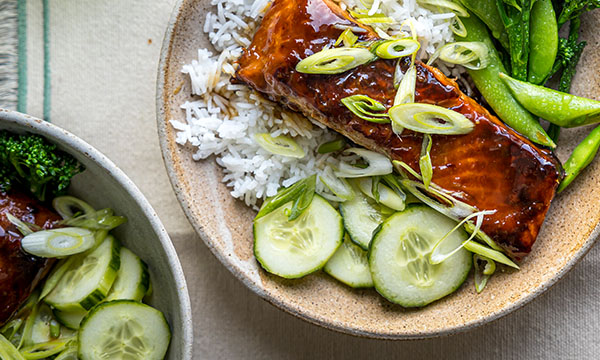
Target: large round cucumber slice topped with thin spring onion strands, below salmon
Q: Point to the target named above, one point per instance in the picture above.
(399, 257)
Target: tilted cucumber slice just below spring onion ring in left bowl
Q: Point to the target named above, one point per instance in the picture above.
(89, 279)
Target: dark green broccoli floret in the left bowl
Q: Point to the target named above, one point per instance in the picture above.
(34, 163)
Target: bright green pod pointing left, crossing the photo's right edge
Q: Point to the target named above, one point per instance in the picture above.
(557, 107)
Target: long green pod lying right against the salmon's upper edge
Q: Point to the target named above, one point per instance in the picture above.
(496, 93)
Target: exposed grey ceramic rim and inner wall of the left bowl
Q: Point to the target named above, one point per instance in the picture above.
(103, 185)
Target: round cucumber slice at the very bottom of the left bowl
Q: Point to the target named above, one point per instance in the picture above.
(124, 329)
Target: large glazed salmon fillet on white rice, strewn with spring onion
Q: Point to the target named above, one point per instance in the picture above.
(490, 168)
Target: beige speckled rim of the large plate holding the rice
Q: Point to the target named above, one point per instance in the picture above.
(178, 184)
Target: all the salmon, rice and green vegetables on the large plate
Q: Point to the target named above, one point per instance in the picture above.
(413, 139)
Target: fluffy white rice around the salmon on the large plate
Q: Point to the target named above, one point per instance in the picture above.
(224, 117)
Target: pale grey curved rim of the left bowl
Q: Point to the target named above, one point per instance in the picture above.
(59, 135)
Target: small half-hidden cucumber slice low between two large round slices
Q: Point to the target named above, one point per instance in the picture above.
(350, 265)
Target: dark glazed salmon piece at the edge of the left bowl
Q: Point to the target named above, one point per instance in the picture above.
(20, 272)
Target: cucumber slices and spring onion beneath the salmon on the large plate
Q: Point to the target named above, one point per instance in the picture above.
(376, 226)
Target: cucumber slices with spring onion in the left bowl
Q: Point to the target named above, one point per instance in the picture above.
(91, 305)
